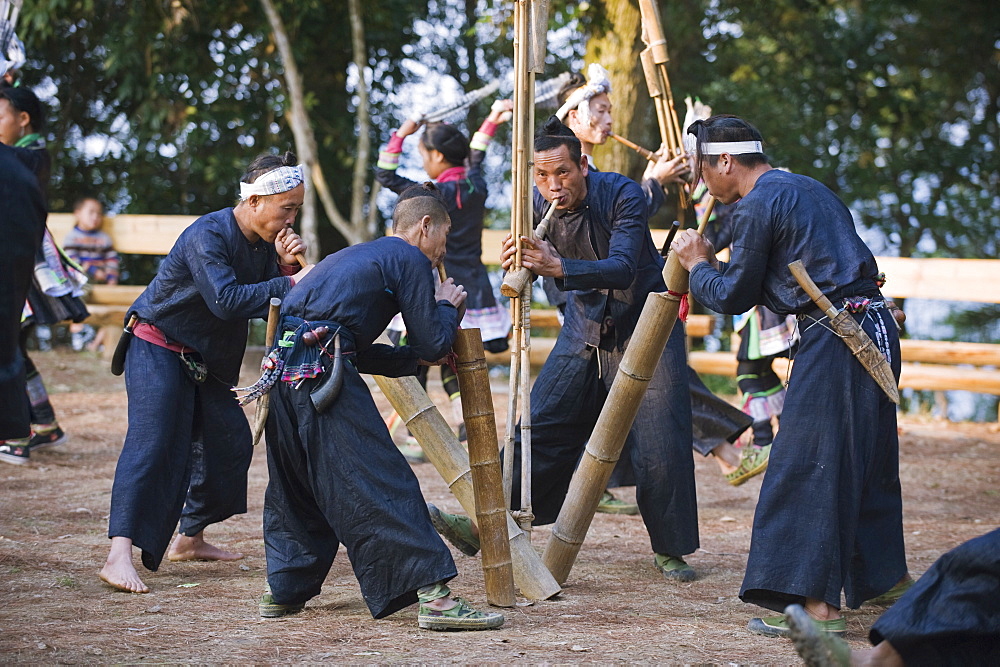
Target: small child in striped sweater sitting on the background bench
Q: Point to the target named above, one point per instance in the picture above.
(93, 250)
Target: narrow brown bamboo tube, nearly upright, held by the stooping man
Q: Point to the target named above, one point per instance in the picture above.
(484, 459)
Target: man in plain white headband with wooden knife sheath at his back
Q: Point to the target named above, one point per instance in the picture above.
(829, 517)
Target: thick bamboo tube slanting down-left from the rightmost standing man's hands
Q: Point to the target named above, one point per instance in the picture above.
(659, 314)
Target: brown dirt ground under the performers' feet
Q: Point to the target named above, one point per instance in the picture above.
(614, 608)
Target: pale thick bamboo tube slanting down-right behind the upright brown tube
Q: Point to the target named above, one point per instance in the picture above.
(440, 444)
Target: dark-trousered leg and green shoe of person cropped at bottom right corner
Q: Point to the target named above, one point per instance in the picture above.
(951, 616)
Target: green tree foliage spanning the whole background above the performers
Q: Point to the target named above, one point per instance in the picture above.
(158, 105)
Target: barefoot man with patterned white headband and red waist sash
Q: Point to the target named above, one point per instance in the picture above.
(188, 446)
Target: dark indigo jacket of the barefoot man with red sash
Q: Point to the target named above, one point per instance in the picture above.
(209, 286)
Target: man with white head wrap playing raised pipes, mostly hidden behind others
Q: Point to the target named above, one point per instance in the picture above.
(587, 110)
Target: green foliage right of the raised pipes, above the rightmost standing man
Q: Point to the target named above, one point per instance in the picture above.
(889, 103)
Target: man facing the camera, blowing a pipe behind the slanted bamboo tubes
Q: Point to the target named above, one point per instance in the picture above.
(601, 253)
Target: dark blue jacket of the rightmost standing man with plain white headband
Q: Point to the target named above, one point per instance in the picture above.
(785, 217)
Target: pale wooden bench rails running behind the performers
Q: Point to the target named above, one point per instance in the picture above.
(927, 364)
